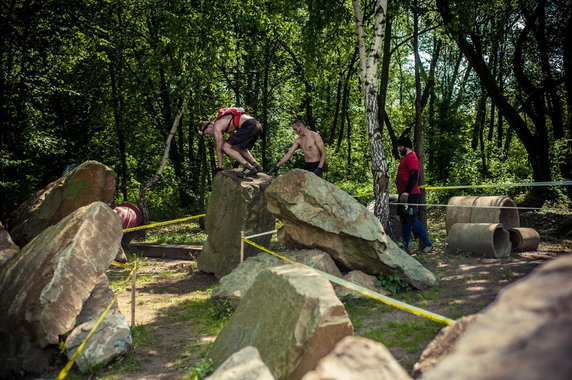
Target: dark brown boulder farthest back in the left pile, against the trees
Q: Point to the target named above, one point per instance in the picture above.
(87, 183)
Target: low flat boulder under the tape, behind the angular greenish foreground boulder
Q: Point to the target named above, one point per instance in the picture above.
(234, 285)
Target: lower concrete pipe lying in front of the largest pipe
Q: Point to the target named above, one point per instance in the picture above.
(482, 239)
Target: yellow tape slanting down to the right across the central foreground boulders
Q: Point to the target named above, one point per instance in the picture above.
(366, 292)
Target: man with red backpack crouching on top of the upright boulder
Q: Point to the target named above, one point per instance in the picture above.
(243, 130)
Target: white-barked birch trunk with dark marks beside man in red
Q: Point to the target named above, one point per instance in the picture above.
(369, 61)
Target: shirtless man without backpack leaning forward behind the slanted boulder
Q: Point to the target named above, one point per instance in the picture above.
(311, 144)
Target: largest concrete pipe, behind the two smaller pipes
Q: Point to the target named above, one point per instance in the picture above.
(466, 209)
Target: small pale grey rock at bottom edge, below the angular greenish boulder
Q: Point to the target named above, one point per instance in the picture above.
(245, 364)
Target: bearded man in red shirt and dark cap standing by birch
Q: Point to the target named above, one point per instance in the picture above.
(407, 182)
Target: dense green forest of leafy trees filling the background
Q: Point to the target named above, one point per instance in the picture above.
(484, 88)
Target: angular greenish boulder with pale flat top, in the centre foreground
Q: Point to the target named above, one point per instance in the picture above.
(291, 315)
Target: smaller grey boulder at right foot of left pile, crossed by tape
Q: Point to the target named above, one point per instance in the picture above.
(111, 338)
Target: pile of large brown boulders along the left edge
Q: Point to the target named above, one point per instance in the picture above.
(55, 287)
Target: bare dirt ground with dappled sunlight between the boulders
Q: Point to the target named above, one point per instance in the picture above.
(165, 288)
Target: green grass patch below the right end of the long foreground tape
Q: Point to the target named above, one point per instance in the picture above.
(411, 336)
